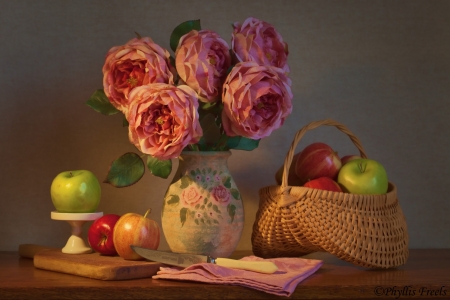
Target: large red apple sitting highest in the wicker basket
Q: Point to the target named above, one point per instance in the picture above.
(317, 160)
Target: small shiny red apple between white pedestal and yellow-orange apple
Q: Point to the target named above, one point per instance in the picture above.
(100, 234)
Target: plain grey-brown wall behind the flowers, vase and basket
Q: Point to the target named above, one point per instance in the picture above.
(380, 67)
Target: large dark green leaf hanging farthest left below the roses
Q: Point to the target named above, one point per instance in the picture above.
(126, 170)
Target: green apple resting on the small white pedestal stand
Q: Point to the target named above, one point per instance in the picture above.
(75, 192)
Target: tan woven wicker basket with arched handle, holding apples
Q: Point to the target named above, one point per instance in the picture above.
(366, 230)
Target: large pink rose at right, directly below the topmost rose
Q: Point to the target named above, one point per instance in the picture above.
(256, 99)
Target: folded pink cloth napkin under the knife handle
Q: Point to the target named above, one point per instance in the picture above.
(291, 271)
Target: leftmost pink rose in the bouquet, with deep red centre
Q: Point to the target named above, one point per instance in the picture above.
(138, 62)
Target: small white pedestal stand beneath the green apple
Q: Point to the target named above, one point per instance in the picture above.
(75, 244)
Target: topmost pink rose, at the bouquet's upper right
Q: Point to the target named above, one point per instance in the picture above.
(258, 41)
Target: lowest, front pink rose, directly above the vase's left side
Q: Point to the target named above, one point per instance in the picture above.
(163, 119)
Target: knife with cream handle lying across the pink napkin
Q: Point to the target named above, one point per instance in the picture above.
(185, 260)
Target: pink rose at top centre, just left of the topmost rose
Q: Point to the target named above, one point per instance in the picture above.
(202, 59)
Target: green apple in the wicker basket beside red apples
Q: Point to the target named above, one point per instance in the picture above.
(363, 176)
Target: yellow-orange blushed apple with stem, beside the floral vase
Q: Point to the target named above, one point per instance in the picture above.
(134, 229)
